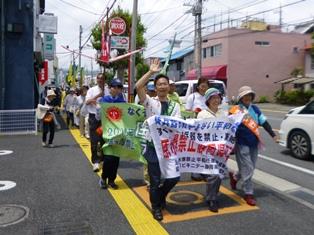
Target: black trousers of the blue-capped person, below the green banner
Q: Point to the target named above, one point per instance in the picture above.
(110, 168)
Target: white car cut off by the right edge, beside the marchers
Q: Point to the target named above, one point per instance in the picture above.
(297, 131)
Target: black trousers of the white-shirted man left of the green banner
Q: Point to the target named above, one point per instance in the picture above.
(94, 138)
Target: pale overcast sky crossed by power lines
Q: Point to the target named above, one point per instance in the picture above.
(159, 14)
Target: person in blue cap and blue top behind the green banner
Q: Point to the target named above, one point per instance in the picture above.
(111, 162)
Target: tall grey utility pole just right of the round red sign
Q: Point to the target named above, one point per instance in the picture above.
(133, 47)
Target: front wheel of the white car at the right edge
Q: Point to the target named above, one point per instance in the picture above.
(299, 145)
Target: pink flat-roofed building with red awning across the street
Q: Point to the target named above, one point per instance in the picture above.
(253, 58)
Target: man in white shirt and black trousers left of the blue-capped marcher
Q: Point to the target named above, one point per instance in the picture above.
(92, 95)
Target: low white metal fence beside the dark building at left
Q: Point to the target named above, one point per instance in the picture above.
(18, 122)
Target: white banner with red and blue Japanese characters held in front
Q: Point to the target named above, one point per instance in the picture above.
(193, 145)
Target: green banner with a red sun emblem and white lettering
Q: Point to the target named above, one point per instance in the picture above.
(123, 130)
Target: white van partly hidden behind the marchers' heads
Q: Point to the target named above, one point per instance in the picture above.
(187, 87)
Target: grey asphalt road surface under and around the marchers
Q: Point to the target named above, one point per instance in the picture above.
(62, 194)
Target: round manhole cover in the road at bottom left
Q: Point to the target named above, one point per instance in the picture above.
(12, 214)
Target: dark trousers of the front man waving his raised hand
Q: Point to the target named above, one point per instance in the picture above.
(158, 192)
